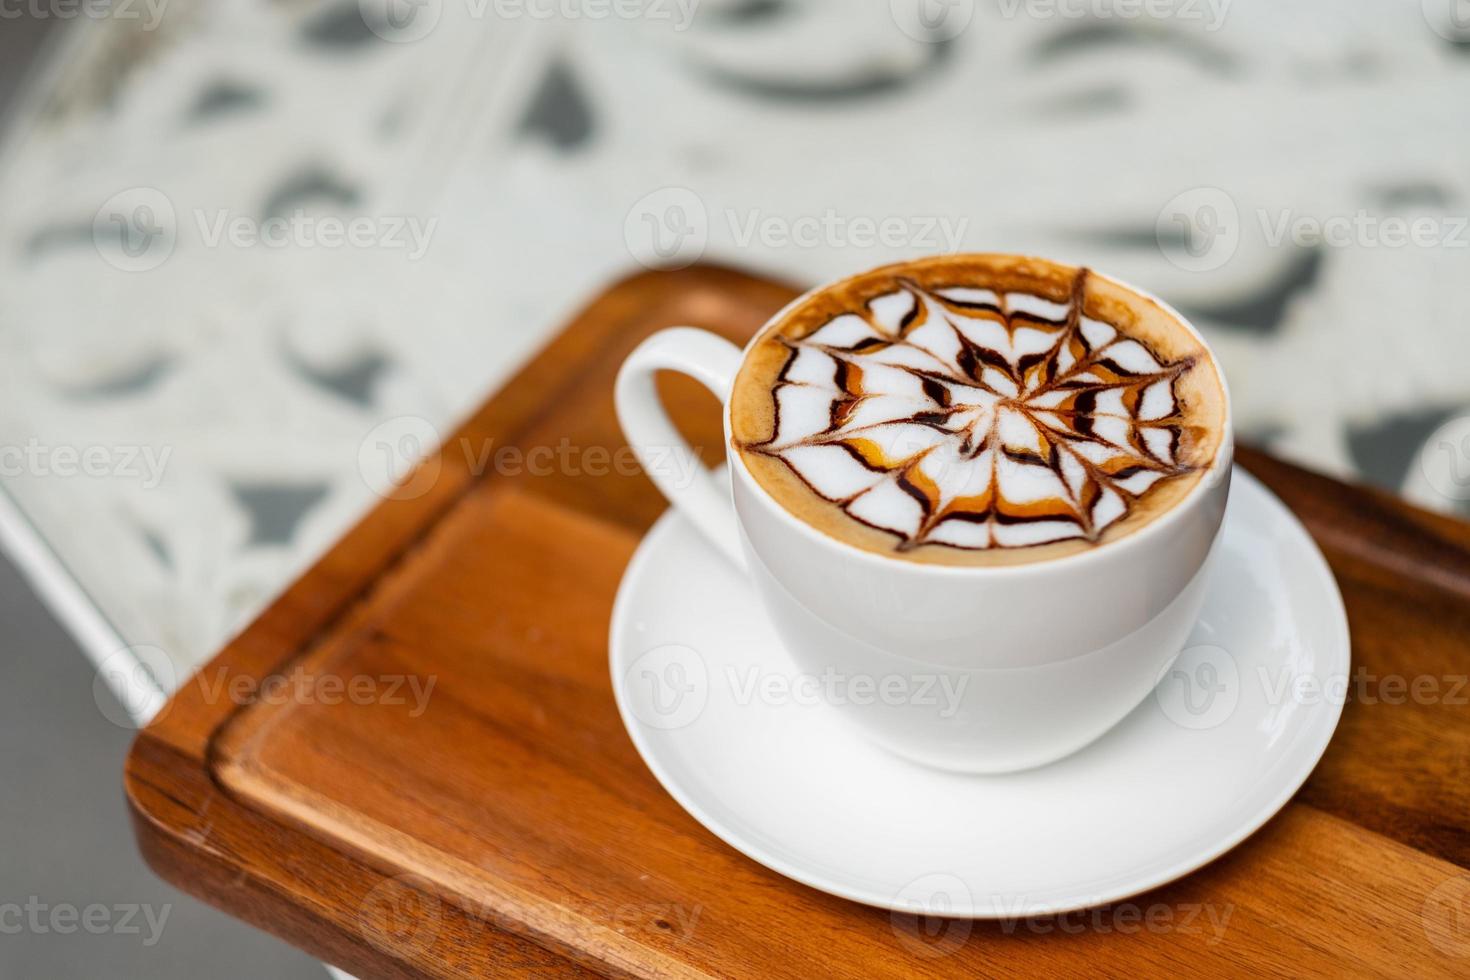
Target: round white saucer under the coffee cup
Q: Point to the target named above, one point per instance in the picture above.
(784, 779)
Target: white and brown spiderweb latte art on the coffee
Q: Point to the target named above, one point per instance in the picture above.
(980, 419)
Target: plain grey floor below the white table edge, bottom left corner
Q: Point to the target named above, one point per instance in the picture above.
(76, 898)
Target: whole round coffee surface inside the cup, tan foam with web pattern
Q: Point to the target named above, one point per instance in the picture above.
(978, 411)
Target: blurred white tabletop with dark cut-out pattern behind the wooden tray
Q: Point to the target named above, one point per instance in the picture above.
(1294, 177)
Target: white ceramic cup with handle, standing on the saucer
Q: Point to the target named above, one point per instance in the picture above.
(1046, 656)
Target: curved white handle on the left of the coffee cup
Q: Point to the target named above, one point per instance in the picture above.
(665, 456)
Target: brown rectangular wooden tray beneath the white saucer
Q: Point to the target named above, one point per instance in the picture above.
(512, 826)
